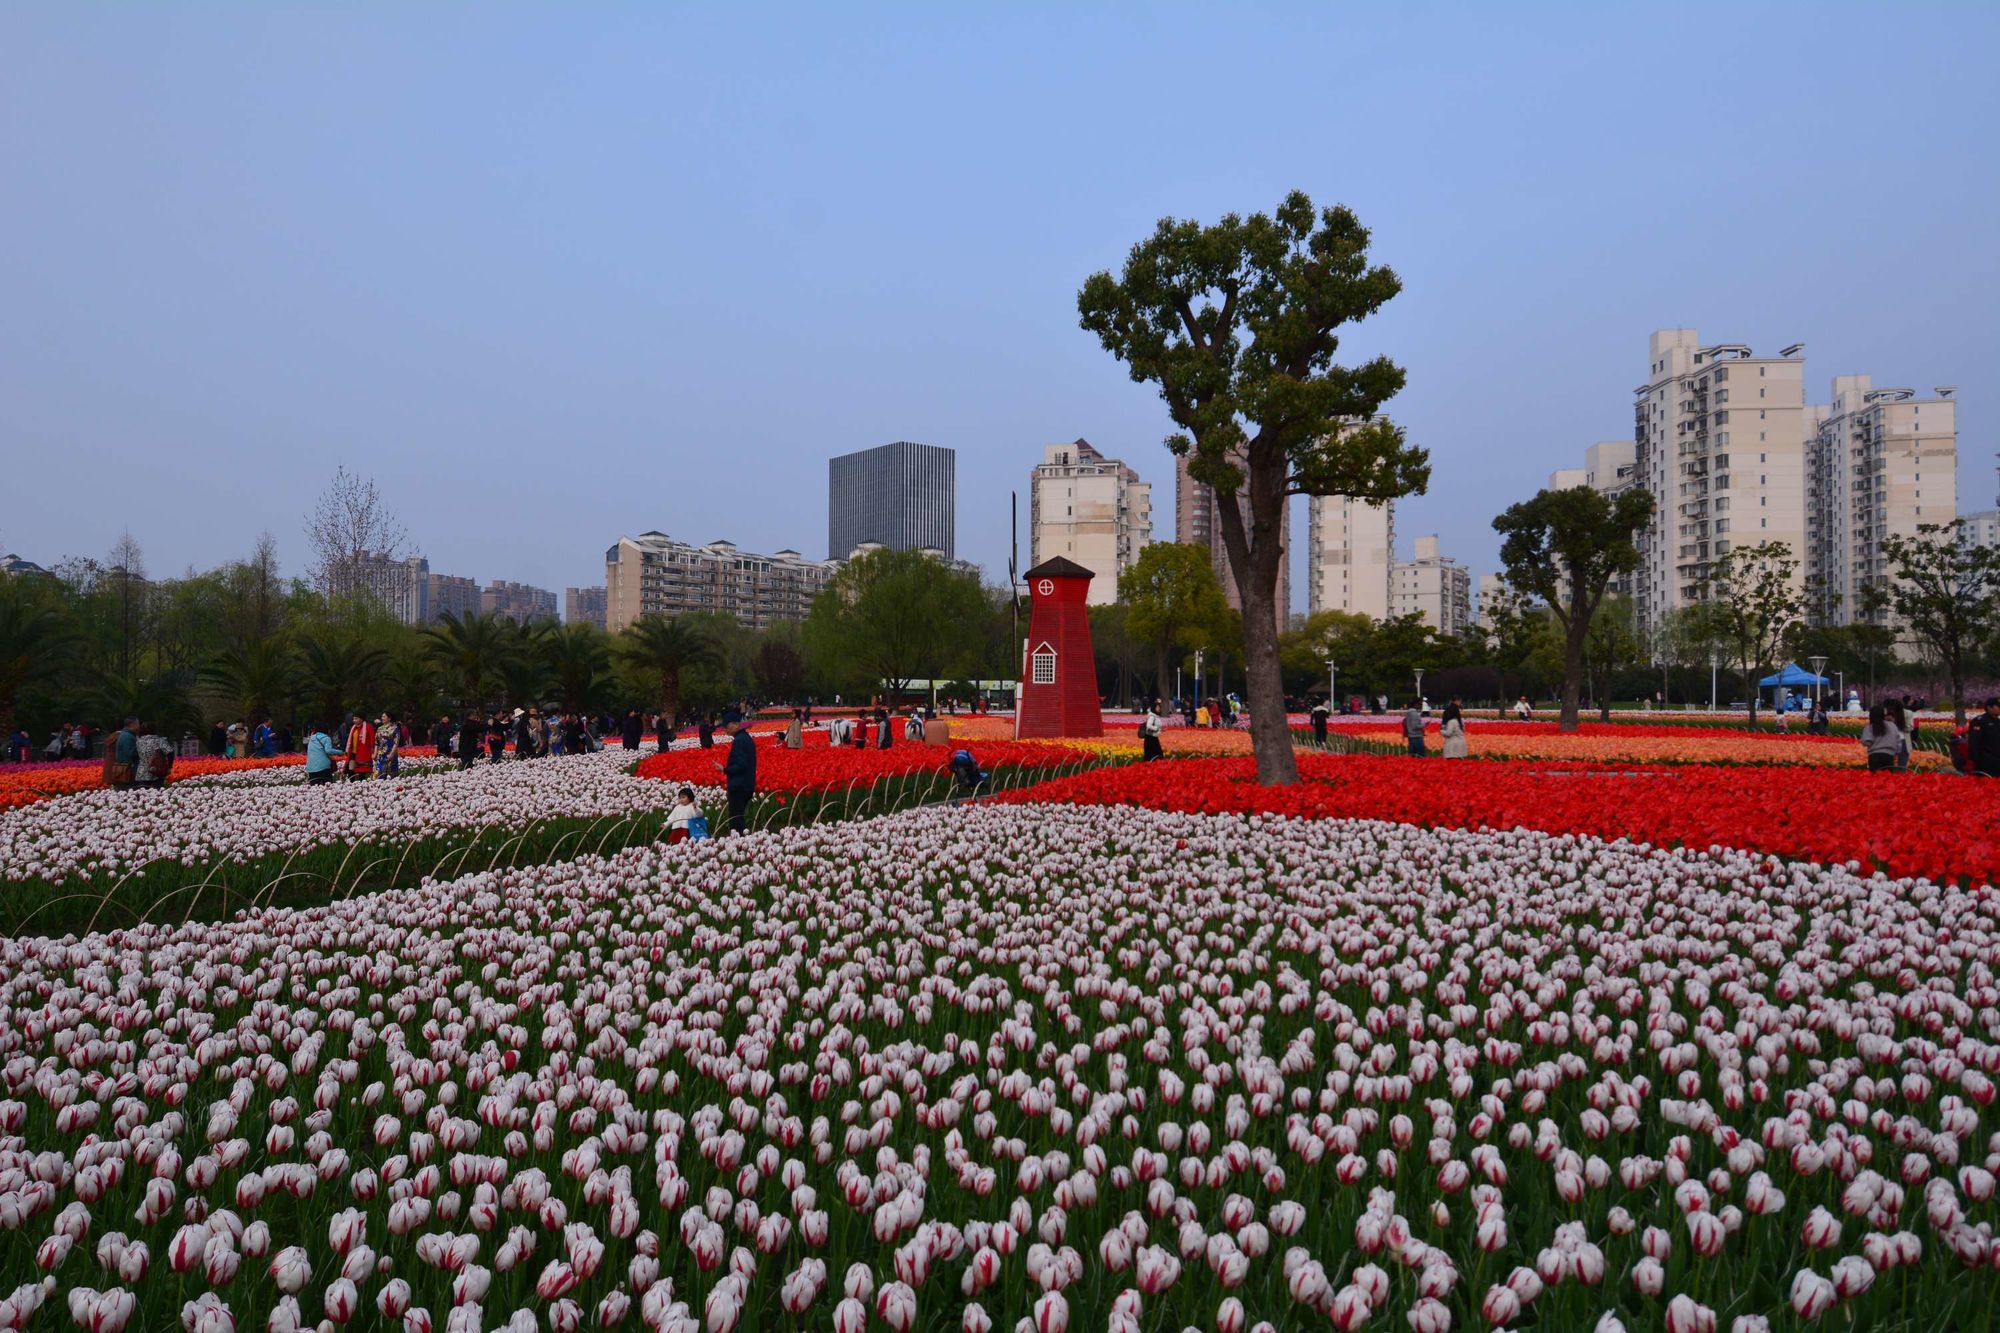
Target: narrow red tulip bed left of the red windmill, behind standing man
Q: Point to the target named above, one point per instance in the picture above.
(823, 768)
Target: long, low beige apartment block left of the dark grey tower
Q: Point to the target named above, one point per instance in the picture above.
(653, 575)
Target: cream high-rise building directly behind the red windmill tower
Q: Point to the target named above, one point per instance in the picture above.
(1089, 509)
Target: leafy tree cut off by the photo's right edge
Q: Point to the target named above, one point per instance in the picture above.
(1945, 593)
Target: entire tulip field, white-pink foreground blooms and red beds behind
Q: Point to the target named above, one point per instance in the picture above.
(1519, 1044)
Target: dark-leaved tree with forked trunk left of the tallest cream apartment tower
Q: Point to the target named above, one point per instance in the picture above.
(1565, 547)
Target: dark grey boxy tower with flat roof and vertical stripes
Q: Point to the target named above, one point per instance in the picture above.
(899, 495)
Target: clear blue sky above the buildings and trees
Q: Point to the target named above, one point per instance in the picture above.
(563, 273)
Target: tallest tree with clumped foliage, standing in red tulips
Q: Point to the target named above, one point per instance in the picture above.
(1237, 325)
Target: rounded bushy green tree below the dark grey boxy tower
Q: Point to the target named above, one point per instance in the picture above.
(891, 617)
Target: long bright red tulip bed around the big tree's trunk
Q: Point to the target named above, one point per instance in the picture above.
(1911, 824)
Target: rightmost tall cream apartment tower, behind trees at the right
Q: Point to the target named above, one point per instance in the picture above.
(1883, 463)
